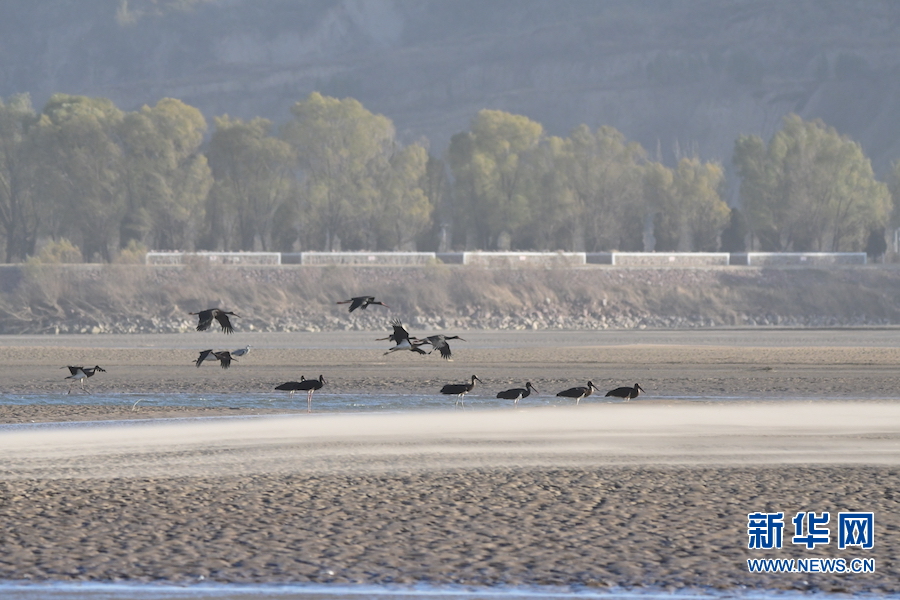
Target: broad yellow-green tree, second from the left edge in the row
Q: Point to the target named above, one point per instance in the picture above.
(80, 184)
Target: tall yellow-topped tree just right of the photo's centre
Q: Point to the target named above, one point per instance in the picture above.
(490, 164)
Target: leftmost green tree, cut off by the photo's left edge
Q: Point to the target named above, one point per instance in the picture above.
(18, 213)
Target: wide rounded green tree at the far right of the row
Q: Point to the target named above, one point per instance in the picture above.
(810, 189)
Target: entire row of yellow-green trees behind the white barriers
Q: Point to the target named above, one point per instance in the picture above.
(87, 175)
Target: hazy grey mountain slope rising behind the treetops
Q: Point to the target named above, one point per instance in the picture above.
(684, 76)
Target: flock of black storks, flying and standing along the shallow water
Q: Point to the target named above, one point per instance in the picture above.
(401, 339)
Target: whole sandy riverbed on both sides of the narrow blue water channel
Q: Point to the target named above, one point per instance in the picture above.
(654, 493)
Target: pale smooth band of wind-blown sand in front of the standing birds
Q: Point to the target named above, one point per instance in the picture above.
(686, 434)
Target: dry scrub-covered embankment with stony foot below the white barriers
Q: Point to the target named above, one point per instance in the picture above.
(131, 299)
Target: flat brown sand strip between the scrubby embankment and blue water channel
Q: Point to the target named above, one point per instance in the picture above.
(845, 364)
